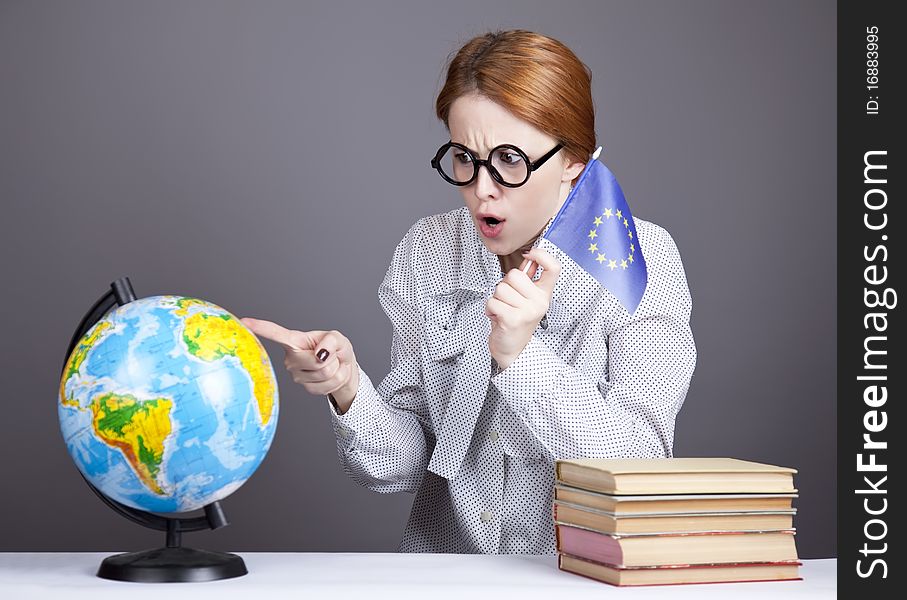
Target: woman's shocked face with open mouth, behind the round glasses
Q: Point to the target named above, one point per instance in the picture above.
(481, 124)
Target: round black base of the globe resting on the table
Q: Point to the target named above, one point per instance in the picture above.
(180, 564)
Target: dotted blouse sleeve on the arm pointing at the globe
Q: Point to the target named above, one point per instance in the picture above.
(380, 439)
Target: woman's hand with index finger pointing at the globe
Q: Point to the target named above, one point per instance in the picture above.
(323, 362)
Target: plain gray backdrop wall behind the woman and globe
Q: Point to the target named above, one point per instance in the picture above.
(268, 157)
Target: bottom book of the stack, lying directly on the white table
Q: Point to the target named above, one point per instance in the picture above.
(676, 574)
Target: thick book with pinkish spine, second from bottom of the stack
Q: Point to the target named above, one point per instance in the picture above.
(674, 549)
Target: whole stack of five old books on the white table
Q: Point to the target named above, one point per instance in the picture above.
(675, 520)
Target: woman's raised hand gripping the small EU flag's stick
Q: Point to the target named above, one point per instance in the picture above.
(517, 306)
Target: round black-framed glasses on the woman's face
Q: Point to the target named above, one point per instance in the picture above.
(507, 164)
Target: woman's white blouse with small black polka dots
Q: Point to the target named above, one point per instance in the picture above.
(477, 444)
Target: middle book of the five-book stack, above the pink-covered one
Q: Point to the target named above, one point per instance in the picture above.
(591, 518)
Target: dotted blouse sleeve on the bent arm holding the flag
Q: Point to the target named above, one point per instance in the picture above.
(630, 411)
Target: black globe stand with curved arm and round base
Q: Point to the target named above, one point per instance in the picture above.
(173, 562)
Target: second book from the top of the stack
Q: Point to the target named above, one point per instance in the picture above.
(672, 503)
